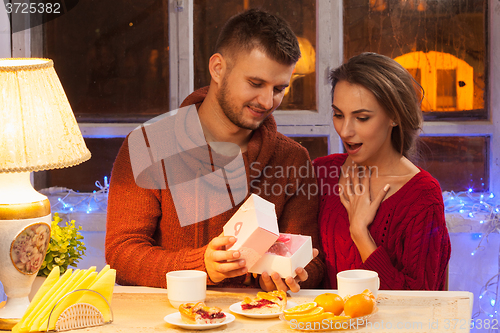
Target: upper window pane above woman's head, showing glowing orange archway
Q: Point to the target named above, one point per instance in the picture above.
(441, 43)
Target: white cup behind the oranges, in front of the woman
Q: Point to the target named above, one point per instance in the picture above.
(355, 281)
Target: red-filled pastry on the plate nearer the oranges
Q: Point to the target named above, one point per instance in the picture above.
(270, 302)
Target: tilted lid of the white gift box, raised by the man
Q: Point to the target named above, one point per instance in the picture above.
(255, 227)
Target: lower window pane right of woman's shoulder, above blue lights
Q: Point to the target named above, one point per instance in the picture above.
(458, 163)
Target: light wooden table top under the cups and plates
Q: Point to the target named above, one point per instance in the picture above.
(141, 309)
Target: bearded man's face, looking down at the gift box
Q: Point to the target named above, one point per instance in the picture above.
(253, 88)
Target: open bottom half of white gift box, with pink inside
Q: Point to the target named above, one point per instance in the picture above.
(301, 253)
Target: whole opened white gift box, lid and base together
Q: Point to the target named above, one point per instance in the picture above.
(256, 228)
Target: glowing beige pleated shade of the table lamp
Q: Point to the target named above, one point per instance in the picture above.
(38, 130)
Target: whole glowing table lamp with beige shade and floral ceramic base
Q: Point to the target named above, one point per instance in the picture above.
(38, 131)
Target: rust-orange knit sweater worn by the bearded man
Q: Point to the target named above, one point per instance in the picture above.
(144, 239)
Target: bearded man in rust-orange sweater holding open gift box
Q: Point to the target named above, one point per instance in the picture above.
(255, 56)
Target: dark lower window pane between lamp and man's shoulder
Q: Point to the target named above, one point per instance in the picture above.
(82, 177)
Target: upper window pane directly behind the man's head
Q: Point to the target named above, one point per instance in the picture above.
(210, 16)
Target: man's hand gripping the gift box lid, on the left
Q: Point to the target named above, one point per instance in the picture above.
(217, 259)
